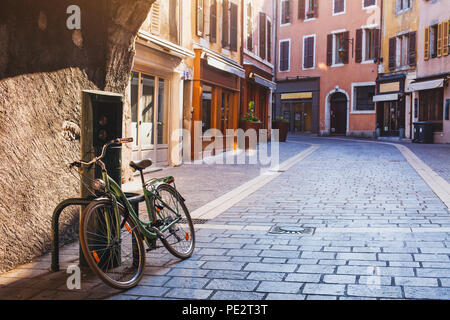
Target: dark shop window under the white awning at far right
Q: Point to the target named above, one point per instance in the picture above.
(431, 104)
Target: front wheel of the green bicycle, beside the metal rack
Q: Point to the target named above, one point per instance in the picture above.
(113, 248)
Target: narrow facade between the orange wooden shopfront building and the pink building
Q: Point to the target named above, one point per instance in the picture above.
(258, 59)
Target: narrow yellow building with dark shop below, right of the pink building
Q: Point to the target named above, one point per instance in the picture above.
(397, 67)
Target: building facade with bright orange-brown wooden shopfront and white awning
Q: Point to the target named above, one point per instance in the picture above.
(214, 35)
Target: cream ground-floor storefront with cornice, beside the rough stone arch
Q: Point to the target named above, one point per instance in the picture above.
(156, 96)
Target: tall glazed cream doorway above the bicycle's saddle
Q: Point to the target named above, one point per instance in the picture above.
(149, 118)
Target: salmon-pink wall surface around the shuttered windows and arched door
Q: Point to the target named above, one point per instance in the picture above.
(354, 18)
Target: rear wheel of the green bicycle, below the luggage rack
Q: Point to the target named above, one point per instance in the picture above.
(179, 238)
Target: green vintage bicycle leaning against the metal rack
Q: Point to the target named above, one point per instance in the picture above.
(111, 233)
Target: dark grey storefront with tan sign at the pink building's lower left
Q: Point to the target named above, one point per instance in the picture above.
(298, 102)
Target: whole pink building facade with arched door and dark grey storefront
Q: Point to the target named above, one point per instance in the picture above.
(326, 71)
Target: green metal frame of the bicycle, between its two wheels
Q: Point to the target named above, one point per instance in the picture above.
(114, 191)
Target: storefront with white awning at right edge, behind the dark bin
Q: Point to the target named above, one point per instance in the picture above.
(432, 104)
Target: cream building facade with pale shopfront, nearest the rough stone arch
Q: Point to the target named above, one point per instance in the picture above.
(156, 88)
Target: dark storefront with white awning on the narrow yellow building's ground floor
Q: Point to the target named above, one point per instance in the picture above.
(391, 106)
